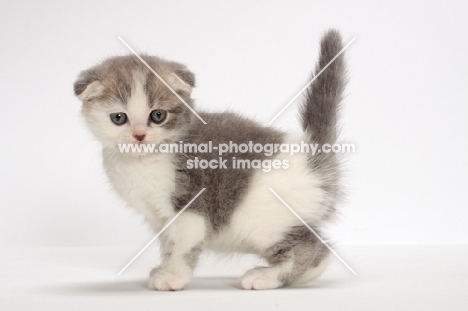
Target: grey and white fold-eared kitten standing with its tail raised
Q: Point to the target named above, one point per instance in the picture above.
(124, 102)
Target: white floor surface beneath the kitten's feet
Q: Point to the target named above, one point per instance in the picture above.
(431, 277)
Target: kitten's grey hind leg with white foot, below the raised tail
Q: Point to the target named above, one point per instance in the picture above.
(288, 259)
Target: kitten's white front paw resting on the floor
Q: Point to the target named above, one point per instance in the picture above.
(164, 280)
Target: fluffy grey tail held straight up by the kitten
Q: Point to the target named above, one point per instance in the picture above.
(319, 112)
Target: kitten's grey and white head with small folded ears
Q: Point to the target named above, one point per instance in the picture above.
(124, 102)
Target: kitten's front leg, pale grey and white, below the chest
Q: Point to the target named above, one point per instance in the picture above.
(181, 246)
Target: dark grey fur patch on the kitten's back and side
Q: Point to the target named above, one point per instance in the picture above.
(225, 188)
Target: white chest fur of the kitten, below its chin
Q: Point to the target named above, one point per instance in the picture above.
(145, 182)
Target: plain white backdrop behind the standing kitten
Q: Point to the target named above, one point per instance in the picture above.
(406, 107)
